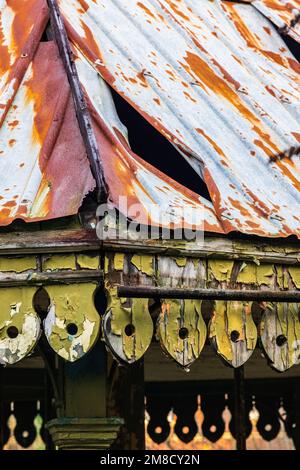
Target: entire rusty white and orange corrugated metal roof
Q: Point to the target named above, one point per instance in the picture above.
(214, 77)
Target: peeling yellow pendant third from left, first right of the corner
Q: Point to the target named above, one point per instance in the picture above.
(127, 327)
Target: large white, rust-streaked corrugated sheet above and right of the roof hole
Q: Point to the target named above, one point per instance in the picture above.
(217, 80)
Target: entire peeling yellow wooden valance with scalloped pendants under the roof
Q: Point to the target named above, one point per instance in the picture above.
(235, 303)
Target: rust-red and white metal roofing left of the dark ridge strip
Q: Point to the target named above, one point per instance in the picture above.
(43, 165)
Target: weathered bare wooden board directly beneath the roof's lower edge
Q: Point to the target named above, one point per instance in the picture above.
(63, 241)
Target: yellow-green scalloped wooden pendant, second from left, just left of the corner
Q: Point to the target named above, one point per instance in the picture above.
(72, 305)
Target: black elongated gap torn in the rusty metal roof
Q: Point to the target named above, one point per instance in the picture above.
(155, 149)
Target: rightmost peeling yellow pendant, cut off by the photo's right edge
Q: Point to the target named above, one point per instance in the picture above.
(280, 335)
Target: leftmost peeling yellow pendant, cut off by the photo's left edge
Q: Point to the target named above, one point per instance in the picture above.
(17, 312)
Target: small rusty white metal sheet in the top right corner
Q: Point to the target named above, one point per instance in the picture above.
(283, 13)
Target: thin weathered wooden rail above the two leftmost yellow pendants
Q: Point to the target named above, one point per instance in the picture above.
(49, 278)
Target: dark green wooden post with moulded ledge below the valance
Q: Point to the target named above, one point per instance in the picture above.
(85, 425)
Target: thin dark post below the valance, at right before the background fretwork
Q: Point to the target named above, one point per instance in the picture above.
(240, 409)
